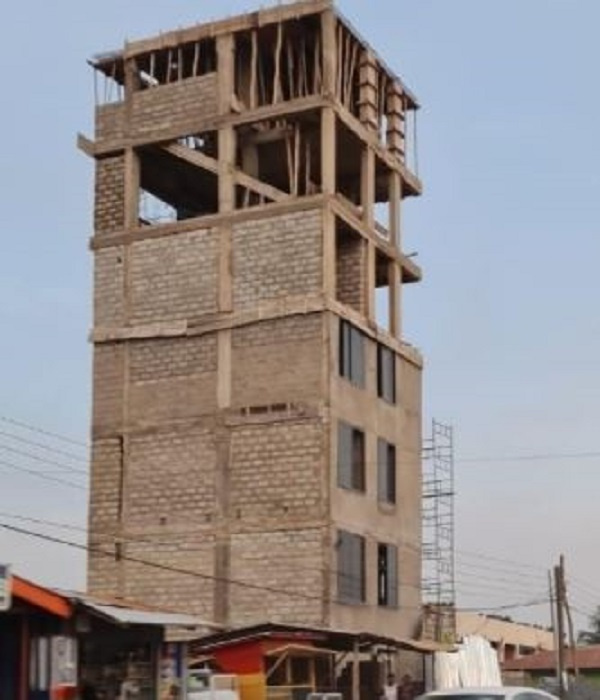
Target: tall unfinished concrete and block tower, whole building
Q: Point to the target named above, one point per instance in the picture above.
(256, 420)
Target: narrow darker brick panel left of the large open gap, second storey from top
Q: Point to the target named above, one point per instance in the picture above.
(109, 213)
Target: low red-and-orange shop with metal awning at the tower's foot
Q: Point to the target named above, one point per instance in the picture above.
(288, 662)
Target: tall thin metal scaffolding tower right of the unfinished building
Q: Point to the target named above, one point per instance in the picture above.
(439, 591)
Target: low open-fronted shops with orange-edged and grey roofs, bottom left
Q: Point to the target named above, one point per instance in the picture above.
(52, 644)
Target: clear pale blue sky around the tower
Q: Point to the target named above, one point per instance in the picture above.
(507, 234)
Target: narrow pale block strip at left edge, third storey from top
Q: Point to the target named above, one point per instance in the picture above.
(109, 270)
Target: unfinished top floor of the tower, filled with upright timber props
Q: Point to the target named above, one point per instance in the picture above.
(268, 63)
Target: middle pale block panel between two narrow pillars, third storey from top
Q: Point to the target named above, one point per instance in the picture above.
(174, 277)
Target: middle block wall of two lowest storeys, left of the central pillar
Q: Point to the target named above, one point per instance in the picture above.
(170, 501)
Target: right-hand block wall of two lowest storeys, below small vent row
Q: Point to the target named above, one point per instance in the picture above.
(275, 485)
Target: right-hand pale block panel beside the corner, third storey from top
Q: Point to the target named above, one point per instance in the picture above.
(276, 257)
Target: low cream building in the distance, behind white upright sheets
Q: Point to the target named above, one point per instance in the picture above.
(511, 640)
